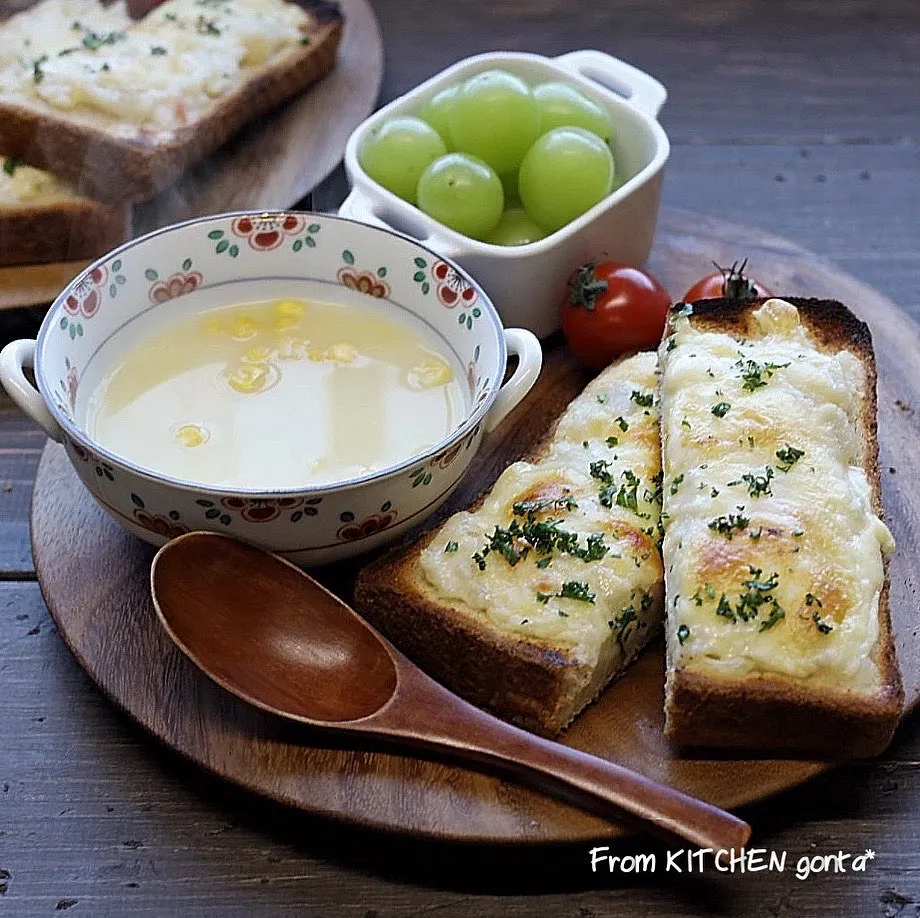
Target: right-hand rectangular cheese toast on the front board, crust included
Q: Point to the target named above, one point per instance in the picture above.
(778, 632)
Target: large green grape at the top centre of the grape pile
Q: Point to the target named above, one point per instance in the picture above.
(496, 118)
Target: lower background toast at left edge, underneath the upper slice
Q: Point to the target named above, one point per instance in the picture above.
(42, 219)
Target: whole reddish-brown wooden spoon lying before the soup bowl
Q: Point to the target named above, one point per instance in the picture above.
(270, 634)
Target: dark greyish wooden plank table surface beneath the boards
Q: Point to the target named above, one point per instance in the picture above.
(801, 118)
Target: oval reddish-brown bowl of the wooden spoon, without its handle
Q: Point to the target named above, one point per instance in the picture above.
(252, 627)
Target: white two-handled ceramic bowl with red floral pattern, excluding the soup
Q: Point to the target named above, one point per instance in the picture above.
(243, 257)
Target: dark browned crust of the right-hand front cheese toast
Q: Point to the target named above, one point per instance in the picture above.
(770, 712)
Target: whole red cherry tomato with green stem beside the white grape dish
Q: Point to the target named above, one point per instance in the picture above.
(611, 308)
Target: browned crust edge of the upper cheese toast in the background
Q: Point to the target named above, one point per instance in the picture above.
(109, 168)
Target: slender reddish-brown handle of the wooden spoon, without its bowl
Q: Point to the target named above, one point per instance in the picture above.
(424, 713)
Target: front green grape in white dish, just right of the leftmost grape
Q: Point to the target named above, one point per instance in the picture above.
(462, 192)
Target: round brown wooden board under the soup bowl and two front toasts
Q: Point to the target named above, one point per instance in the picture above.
(94, 578)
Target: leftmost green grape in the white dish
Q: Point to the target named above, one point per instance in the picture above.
(397, 152)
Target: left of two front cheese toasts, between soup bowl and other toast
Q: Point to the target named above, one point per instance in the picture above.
(497, 632)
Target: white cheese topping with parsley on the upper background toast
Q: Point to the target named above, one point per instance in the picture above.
(158, 73)
